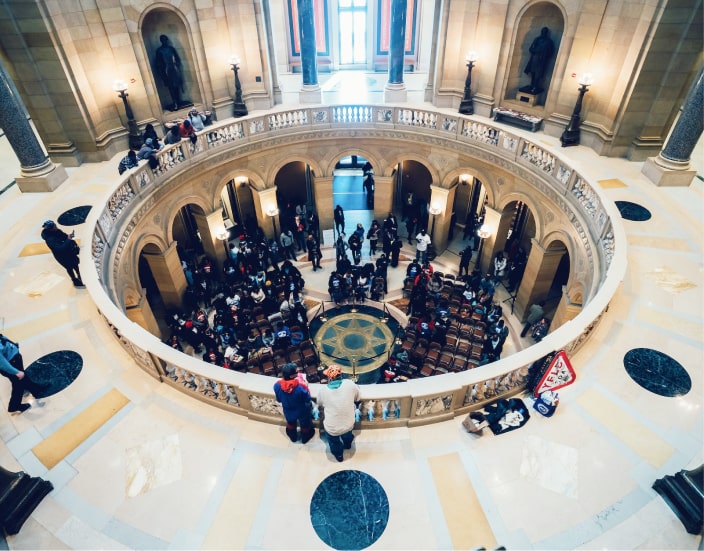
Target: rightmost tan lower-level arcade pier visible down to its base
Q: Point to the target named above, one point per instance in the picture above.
(537, 279)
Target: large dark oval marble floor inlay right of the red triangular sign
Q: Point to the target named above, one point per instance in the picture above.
(657, 372)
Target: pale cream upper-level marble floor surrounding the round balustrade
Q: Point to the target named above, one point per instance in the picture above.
(164, 471)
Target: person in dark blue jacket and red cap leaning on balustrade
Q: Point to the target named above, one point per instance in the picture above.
(295, 399)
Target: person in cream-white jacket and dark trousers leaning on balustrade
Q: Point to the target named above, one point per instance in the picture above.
(337, 400)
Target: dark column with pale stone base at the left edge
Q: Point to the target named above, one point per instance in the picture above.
(37, 171)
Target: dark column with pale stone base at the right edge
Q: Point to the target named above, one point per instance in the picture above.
(671, 167)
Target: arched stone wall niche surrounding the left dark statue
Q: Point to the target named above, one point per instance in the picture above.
(162, 18)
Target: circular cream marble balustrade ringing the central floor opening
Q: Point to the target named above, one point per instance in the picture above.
(417, 401)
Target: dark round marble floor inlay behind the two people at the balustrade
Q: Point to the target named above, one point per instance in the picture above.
(349, 510)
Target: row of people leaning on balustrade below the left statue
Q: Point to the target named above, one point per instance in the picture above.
(152, 144)
